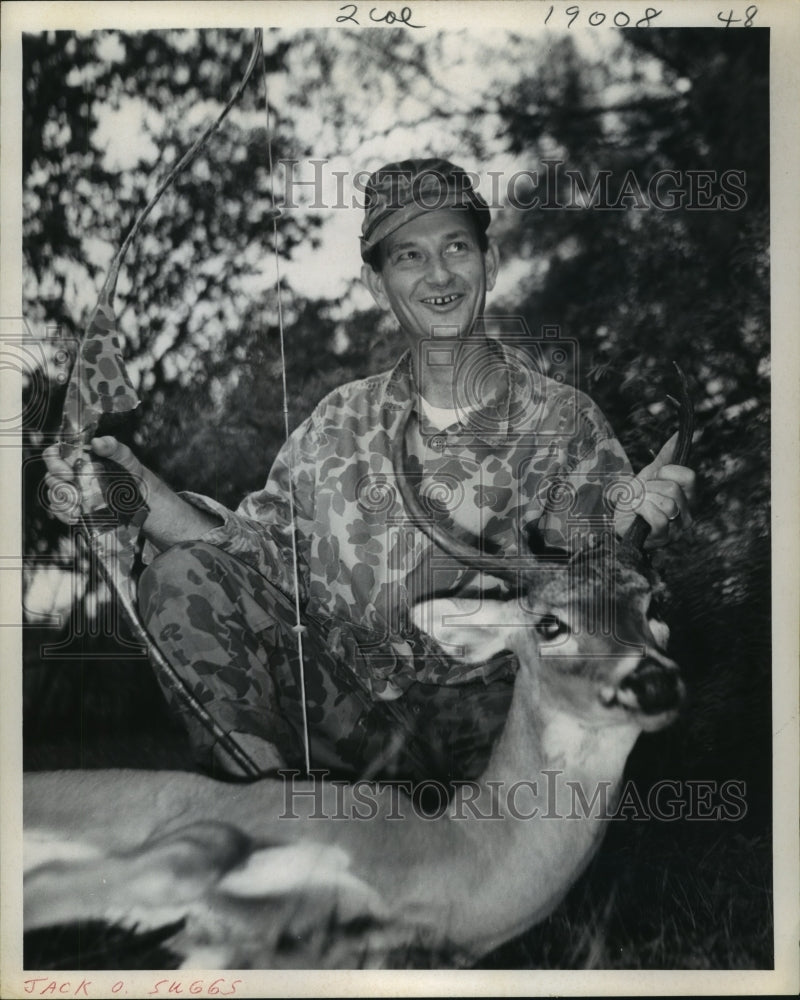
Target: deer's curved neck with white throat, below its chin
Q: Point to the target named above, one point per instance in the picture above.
(543, 801)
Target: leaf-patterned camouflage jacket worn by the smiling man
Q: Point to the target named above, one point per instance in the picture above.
(541, 454)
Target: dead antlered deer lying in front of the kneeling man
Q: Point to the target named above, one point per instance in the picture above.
(241, 864)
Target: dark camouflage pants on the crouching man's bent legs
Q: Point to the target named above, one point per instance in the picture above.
(229, 633)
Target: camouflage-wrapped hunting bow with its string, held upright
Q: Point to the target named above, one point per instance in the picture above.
(99, 366)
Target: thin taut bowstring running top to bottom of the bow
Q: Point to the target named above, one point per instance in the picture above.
(298, 627)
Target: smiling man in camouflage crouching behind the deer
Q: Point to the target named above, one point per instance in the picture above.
(499, 445)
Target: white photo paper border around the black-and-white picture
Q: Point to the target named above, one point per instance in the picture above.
(784, 20)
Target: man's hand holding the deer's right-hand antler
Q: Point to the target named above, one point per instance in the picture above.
(667, 495)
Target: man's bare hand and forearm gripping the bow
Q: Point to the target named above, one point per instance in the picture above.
(170, 519)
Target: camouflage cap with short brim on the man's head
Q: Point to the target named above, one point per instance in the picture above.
(399, 192)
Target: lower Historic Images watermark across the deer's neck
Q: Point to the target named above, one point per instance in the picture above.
(551, 796)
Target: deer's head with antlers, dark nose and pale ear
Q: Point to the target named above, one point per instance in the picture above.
(589, 619)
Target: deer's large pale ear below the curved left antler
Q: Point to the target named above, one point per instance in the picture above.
(473, 628)
